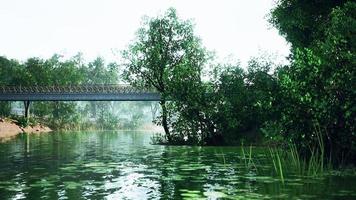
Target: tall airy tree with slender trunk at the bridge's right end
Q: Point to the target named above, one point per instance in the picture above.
(165, 54)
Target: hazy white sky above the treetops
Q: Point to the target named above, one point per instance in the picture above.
(100, 27)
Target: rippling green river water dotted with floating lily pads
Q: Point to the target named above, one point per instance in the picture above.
(123, 165)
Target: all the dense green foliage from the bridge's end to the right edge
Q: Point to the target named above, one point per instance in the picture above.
(309, 103)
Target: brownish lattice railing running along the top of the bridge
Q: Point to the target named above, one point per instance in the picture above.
(103, 89)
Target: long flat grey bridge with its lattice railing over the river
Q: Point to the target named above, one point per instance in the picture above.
(77, 93)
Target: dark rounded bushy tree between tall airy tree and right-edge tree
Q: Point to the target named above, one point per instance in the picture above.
(245, 99)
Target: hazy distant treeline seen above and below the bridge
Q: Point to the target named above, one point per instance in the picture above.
(71, 115)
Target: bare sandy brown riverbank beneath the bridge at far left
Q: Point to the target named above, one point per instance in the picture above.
(10, 128)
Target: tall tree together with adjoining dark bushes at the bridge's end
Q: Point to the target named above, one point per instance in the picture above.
(229, 107)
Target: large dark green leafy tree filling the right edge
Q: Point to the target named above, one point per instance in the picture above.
(318, 87)
